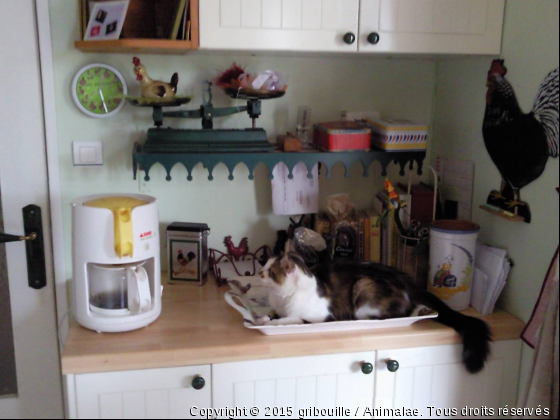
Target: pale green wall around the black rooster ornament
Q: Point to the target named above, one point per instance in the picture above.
(531, 52)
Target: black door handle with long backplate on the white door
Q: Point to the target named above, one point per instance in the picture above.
(34, 246)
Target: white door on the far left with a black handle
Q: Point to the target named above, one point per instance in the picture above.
(33, 387)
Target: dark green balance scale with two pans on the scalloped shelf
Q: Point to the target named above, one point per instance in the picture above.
(208, 139)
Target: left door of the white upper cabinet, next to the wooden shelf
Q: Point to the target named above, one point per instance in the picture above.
(289, 25)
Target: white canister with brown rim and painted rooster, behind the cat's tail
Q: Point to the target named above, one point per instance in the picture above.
(452, 259)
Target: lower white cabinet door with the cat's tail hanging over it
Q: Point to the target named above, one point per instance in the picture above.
(435, 377)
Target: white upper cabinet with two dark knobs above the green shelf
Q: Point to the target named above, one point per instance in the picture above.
(380, 26)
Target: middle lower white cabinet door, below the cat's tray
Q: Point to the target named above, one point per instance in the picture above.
(280, 388)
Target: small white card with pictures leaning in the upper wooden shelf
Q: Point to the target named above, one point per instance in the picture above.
(106, 20)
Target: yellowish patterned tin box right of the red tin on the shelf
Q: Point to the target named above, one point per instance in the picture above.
(398, 135)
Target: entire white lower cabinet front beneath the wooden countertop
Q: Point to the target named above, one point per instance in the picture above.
(280, 388)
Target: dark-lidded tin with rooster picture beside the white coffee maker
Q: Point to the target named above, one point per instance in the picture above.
(187, 247)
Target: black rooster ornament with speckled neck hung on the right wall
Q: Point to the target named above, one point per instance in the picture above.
(519, 144)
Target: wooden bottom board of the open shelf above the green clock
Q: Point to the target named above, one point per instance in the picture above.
(145, 46)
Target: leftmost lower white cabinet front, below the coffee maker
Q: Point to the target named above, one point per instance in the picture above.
(143, 394)
